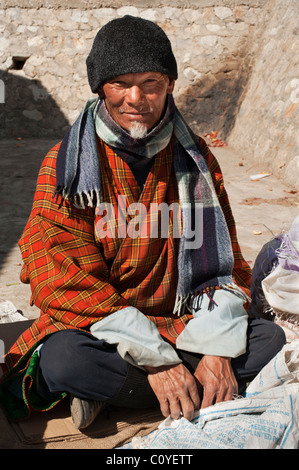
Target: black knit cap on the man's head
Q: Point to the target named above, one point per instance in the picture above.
(129, 45)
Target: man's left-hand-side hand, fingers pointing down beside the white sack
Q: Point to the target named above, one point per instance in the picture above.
(176, 390)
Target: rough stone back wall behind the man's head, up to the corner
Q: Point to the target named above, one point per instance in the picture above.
(43, 48)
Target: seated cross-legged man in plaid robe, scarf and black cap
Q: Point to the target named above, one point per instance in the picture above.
(130, 315)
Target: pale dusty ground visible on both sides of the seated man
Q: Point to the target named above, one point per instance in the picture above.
(261, 208)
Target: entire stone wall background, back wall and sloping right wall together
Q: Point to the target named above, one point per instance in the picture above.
(237, 59)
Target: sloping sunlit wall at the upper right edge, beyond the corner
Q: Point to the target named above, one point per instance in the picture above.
(266, 128)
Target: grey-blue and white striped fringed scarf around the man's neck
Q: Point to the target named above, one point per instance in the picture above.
(202, 266)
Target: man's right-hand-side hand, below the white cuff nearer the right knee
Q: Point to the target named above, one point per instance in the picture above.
(215, 375)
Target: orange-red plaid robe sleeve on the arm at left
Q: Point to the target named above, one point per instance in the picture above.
(66, 270)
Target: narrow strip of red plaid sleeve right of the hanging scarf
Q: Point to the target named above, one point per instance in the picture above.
(241, 270)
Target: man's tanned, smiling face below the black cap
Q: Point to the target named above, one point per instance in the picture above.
(137, 98)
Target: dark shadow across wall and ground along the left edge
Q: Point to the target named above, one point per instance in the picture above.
(28, 111)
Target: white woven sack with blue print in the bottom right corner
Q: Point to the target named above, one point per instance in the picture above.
(266, 418)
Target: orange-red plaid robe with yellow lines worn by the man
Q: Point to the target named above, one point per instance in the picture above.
(67, 264)
